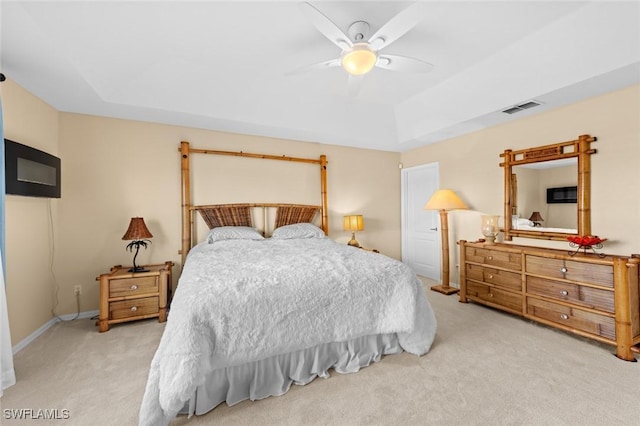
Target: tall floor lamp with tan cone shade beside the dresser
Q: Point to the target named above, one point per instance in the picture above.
(445, 200)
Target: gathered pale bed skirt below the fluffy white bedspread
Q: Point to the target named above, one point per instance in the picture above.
(273, 376)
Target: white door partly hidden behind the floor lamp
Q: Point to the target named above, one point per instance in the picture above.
(420, 228)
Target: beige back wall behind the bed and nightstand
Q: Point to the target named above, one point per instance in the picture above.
(116, 169)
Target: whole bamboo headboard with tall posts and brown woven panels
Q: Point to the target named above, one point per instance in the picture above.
(240, 214)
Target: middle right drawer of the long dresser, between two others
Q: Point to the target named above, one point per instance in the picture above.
(581, 295)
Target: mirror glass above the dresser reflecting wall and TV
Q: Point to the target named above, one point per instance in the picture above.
(536, 191)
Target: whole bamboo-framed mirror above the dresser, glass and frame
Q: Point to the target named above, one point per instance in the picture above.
(547, 190)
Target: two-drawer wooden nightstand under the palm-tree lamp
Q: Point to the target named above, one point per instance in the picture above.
(127, 296)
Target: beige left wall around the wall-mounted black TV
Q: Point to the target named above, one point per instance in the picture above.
(31, 223)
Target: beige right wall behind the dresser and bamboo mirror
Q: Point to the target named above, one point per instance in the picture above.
(470, 165)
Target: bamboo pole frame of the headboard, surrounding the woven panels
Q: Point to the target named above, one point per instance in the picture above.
(188, 208)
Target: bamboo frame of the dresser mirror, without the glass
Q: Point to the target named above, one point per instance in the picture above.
(580, 149)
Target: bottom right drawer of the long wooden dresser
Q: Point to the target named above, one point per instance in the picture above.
(589, 322)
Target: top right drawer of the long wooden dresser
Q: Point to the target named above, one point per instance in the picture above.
(571, 270)
